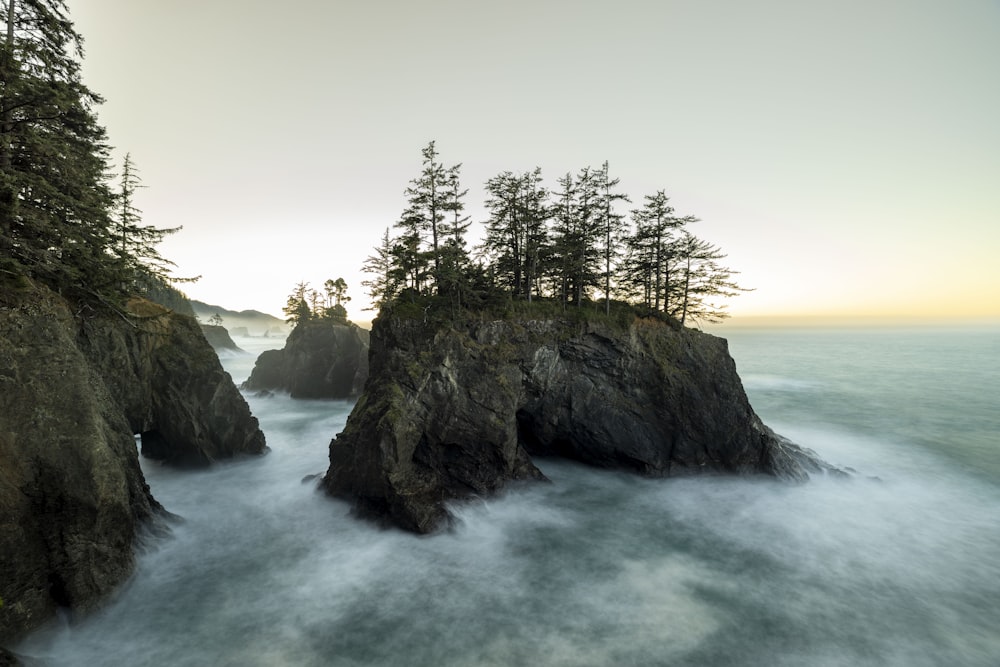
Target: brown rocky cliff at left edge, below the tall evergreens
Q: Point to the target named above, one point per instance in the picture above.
(74, 390)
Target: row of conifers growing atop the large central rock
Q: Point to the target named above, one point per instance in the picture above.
(567, 245)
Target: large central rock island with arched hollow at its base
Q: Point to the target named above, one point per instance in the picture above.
(454, 411)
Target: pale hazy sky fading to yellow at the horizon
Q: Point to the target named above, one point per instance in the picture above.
(846, 155)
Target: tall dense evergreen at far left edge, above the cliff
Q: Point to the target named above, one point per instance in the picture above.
(54, 201)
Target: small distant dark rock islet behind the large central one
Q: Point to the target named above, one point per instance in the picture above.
(319, 360)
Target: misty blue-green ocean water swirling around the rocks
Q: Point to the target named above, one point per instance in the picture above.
(897, 565)
